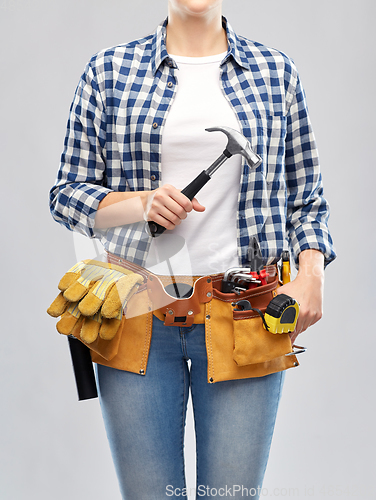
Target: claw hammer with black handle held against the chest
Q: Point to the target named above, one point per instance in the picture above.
(236, 144)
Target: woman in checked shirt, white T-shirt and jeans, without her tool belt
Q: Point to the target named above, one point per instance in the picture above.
(136, 136)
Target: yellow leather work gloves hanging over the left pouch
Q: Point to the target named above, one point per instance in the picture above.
(95, 294)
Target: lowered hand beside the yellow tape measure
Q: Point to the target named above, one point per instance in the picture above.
(307, 289)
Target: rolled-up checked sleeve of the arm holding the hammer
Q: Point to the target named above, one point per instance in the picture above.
(79, 187)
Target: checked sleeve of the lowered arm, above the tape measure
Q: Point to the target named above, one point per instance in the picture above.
(307, 209)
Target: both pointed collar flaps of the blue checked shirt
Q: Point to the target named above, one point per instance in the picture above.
(235, 48)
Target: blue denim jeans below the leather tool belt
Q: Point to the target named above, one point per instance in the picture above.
(145, 417)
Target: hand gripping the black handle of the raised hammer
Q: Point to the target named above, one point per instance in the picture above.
(167, 206)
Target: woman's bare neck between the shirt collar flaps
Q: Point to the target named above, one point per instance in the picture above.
(195, 36)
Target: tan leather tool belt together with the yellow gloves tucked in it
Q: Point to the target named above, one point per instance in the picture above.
(237, 344)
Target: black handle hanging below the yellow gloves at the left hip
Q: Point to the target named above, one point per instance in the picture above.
(83, 369)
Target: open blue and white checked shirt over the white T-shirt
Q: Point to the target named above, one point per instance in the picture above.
(114, 134)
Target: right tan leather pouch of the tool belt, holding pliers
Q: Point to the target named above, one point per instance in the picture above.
(237, 344)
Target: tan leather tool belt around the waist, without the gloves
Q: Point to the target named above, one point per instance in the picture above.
(237, 344)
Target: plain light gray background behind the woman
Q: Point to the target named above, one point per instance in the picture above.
(51, 446)
